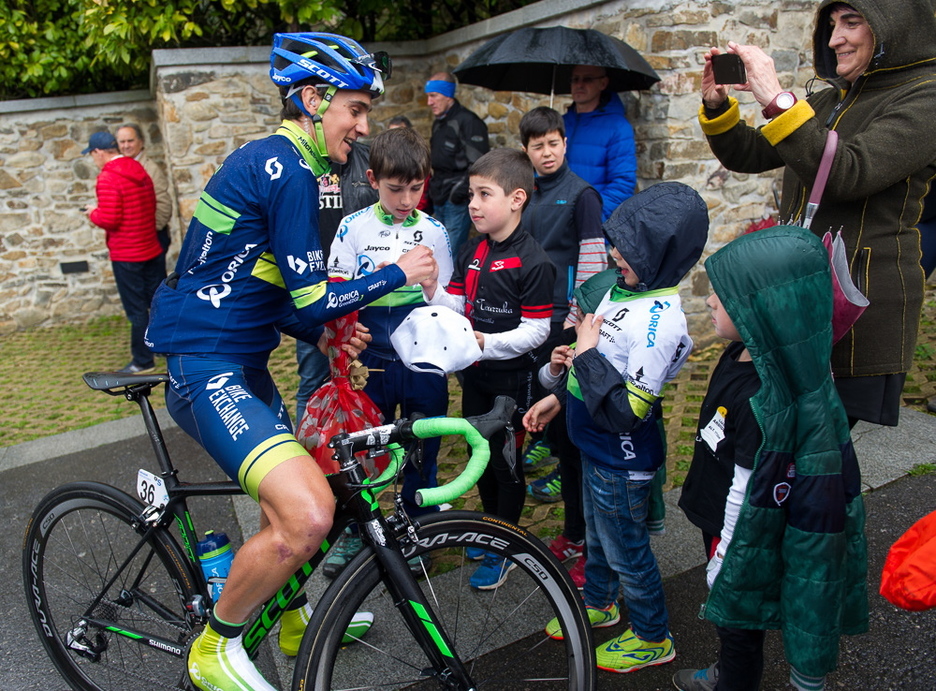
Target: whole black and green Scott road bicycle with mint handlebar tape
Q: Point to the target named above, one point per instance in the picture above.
(117, 597)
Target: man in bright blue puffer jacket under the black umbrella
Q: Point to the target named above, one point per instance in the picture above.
(601, 147)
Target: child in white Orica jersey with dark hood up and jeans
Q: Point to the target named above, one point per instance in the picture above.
(634, 343)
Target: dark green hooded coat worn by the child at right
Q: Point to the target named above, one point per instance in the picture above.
(797, 560)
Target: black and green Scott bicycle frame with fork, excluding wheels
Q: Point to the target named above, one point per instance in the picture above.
(356, 502)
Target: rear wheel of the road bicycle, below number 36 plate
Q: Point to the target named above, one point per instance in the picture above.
(135, 636)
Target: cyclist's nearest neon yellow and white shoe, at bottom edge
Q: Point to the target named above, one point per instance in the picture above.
(216, 663)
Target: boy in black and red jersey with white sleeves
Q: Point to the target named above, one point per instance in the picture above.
(503, 282)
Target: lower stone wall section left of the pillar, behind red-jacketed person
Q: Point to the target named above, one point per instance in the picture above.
(44, 182)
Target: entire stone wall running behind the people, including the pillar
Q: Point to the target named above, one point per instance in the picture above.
(210, 101)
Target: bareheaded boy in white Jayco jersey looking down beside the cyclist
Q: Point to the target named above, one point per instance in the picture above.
(366, 240)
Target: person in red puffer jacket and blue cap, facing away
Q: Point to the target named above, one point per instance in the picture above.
(126, 210)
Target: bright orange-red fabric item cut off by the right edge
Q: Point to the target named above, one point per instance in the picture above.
(909, 577)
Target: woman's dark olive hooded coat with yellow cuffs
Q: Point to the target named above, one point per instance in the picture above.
(883, 165)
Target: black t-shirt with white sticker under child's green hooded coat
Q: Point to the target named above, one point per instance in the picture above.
(728, 435)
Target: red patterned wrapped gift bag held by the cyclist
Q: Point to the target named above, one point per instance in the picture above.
(337, 406)
